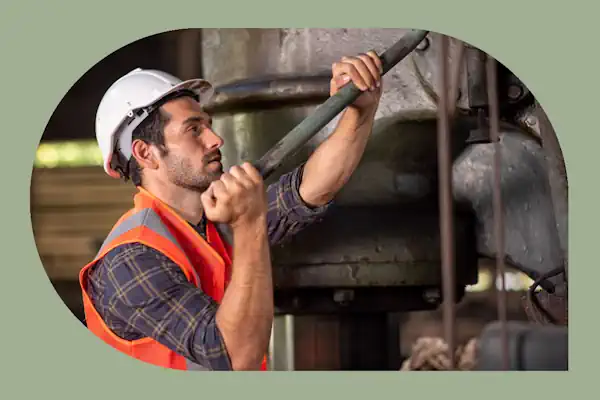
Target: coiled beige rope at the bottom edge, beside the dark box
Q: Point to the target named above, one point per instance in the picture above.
(431, 354)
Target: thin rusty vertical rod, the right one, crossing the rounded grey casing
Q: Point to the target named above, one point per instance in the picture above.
(492, 91)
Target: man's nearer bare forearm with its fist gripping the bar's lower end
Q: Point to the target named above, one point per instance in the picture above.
(245, 315)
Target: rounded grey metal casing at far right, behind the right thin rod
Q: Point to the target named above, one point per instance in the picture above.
(532, 243)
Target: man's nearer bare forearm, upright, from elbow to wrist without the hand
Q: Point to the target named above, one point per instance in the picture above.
(245, 315)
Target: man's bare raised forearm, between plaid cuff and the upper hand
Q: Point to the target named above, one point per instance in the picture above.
(333, 162)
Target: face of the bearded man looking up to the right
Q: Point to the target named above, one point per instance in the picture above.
(193, 158)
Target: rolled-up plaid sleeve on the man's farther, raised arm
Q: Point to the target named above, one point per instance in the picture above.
(288, 213)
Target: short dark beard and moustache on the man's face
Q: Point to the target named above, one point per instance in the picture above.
(181, 172)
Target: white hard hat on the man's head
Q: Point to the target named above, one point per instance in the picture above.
(129, 101)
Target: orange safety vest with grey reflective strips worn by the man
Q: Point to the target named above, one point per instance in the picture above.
(205, 263)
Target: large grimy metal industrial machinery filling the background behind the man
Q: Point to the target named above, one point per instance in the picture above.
(380, 250)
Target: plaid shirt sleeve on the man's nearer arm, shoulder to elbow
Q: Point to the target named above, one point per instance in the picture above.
(145, 294)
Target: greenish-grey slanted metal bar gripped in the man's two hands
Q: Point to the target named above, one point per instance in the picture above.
(326, 112)
